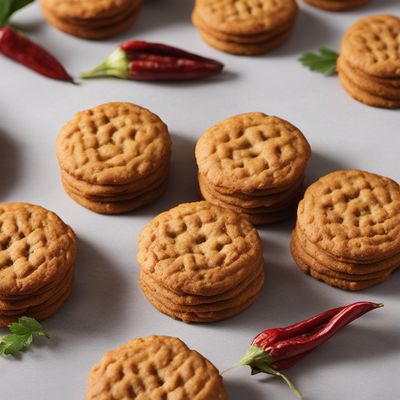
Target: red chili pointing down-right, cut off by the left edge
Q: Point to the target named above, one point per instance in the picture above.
(19, 48)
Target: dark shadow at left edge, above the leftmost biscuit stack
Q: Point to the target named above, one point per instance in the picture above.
(10, 161)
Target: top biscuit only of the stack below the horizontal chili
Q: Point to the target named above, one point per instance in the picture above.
(114, 143)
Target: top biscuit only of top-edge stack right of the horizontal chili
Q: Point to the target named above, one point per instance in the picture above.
(246, 17)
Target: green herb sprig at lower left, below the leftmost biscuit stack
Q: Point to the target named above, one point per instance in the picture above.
(21, 336)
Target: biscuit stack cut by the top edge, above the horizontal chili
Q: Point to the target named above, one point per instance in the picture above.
(91, 19)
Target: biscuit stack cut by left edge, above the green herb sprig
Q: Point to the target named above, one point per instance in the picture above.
(37, 256)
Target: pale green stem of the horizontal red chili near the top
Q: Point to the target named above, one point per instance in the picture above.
(115, 65)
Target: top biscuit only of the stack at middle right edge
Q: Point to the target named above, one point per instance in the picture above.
(353, 215)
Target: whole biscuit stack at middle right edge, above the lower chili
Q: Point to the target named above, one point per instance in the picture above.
(348, 229)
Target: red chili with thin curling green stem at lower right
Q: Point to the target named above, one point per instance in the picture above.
(275, 350)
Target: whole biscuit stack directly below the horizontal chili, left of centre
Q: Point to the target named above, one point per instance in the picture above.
(114, 158)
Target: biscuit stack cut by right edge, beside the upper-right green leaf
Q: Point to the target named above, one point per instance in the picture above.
(369, 61)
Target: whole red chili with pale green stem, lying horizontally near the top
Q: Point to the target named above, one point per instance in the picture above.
(139, 60)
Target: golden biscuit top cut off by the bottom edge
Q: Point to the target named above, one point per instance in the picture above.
(155, 368)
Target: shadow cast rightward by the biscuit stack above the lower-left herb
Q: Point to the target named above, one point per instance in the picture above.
(98, 293)
